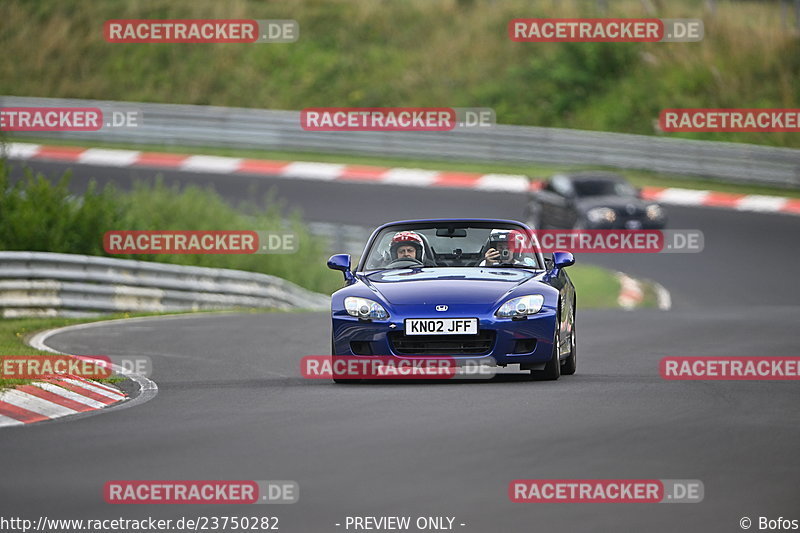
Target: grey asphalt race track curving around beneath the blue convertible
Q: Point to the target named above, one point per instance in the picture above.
(232, 403)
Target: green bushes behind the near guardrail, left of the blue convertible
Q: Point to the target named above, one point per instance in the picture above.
(38, 215)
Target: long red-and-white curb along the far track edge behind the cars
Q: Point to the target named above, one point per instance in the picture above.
(410, 177)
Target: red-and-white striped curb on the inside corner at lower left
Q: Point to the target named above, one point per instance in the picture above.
(54, 398)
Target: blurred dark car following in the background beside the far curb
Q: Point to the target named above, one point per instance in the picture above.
(592, 200)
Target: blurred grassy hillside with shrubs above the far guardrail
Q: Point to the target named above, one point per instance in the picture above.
(416, 53)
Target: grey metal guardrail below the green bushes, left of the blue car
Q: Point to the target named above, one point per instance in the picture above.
(50, 284)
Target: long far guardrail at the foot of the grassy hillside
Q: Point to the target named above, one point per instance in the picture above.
(280, 130)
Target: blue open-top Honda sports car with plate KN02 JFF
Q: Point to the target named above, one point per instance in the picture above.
(462, 288)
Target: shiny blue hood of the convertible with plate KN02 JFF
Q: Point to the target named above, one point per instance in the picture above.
(447, 285)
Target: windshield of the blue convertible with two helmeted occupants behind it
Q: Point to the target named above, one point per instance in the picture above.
(448, 245)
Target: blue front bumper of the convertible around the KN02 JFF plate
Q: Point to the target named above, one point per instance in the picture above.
(504, 341)
